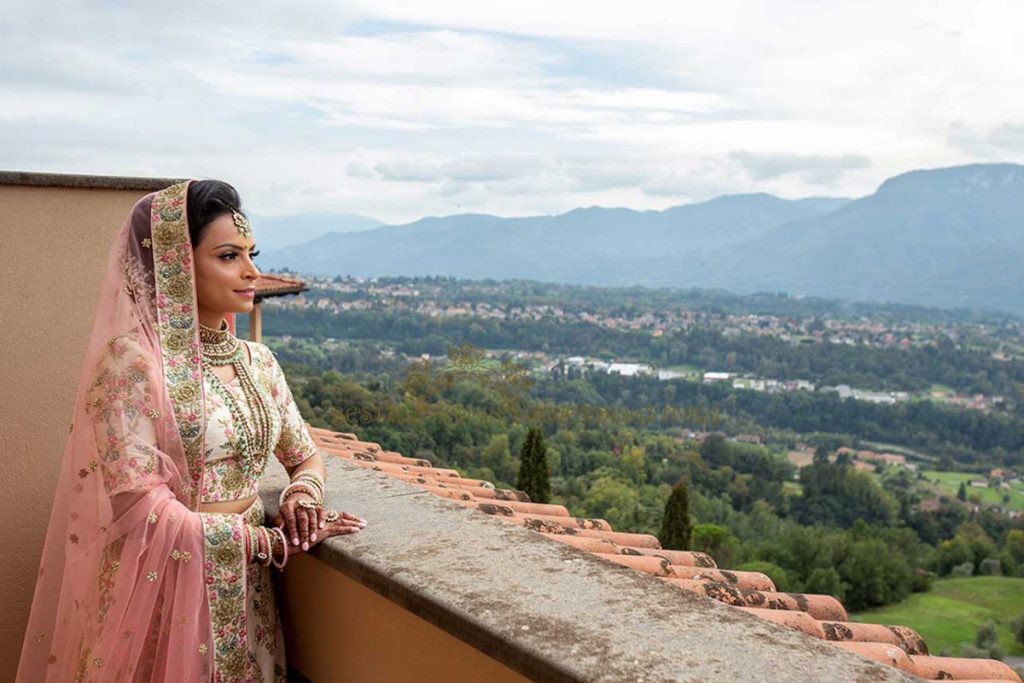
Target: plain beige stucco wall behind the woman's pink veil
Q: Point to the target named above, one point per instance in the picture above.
(55, 245)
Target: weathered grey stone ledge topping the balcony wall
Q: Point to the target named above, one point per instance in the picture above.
(548, 611)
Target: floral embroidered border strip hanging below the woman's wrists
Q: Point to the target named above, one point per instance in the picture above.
(226, 568)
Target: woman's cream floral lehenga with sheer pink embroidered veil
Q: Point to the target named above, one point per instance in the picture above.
(136, 584)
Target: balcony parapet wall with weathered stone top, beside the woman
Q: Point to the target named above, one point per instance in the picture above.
(432, 590)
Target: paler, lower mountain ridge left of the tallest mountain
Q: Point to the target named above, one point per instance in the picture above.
(589, 246)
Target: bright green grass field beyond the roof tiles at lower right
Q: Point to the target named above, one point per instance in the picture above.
(953, 611)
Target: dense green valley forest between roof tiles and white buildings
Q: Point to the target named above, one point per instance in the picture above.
(842, 532)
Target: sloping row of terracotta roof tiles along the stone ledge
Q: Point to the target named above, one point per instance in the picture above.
(819, 616)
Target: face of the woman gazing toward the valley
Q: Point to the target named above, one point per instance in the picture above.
(225, 271)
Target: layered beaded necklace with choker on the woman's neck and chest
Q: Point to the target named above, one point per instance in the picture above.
(221, 348)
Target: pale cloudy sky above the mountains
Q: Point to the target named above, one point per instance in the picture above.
(401, 110)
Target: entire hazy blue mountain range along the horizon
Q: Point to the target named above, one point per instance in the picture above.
(952, 238)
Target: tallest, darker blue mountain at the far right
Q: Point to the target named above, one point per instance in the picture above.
(952, 238)
